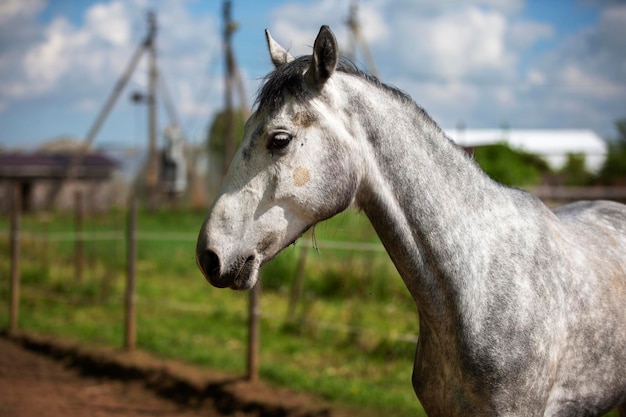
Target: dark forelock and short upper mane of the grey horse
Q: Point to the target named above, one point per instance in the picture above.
(289, 78)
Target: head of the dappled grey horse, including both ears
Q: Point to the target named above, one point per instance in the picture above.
(294, 168)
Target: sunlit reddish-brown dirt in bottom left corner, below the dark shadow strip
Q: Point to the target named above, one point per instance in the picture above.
(33, 385)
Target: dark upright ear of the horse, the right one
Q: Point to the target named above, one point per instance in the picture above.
(324, 59)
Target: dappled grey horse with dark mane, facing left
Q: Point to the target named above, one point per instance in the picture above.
(522, 310)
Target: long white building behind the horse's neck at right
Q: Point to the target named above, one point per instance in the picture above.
(551, 144)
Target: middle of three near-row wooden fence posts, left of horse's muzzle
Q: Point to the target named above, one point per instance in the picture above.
(131, 245)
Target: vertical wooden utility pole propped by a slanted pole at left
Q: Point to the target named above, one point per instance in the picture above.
(152, 171)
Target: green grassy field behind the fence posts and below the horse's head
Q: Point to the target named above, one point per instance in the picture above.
(349, 338)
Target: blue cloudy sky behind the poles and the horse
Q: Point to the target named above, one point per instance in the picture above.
(525, 64)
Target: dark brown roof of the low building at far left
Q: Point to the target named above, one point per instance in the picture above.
(54, 166)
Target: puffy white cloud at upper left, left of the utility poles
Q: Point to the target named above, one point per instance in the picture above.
(65, 55)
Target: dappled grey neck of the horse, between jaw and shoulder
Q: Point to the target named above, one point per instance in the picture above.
(426, 200)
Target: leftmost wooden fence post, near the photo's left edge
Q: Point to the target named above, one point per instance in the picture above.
(16, 197)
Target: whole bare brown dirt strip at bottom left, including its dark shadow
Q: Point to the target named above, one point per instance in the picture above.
(73, 380)
